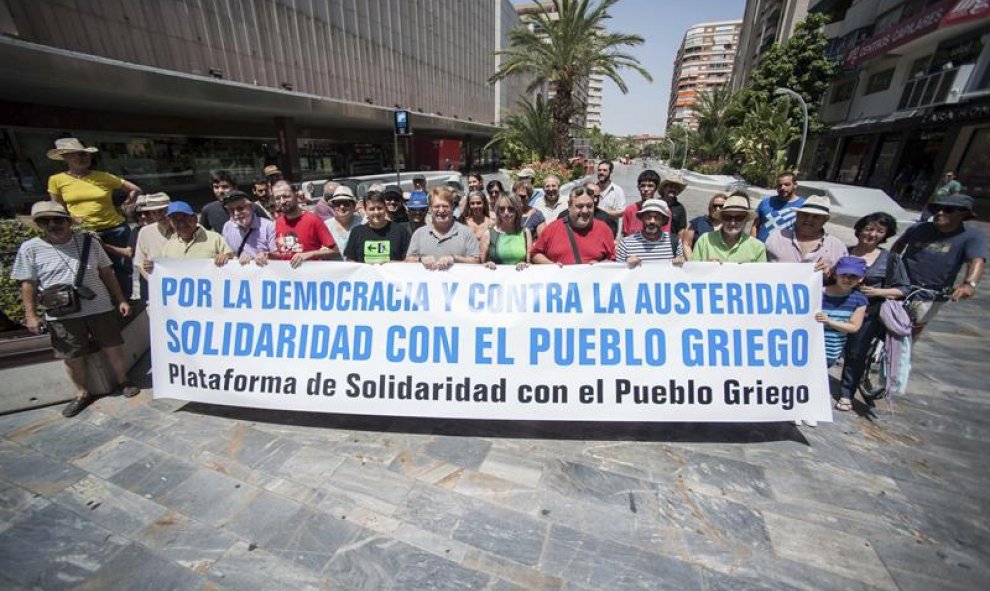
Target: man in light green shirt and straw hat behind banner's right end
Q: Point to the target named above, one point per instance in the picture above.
(730, 243)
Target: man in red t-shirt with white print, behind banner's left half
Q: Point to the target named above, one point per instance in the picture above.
(299, 235)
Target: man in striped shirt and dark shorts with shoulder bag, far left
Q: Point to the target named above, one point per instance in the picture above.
(56, 259)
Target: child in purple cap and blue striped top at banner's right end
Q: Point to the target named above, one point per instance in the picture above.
(843, 306)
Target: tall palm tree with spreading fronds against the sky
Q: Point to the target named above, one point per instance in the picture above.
(571, 47)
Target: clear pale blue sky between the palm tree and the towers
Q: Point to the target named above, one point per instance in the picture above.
(661, 23)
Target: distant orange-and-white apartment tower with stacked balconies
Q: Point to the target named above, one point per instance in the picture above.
(704, 61)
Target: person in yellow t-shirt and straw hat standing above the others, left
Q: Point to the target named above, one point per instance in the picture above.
(88, 195)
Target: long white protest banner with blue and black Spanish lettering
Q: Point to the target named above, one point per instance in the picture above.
(706, 342)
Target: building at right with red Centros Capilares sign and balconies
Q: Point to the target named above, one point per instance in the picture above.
(913, 98)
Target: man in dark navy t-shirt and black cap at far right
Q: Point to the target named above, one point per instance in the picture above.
(934, 252)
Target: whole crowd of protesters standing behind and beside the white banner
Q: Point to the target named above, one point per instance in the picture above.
(109, 262)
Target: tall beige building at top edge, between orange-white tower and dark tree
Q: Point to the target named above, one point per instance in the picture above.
(765, 22)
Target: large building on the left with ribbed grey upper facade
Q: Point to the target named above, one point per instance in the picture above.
(169, 90)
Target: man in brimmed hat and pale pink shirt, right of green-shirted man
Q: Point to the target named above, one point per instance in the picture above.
(807, 242)
